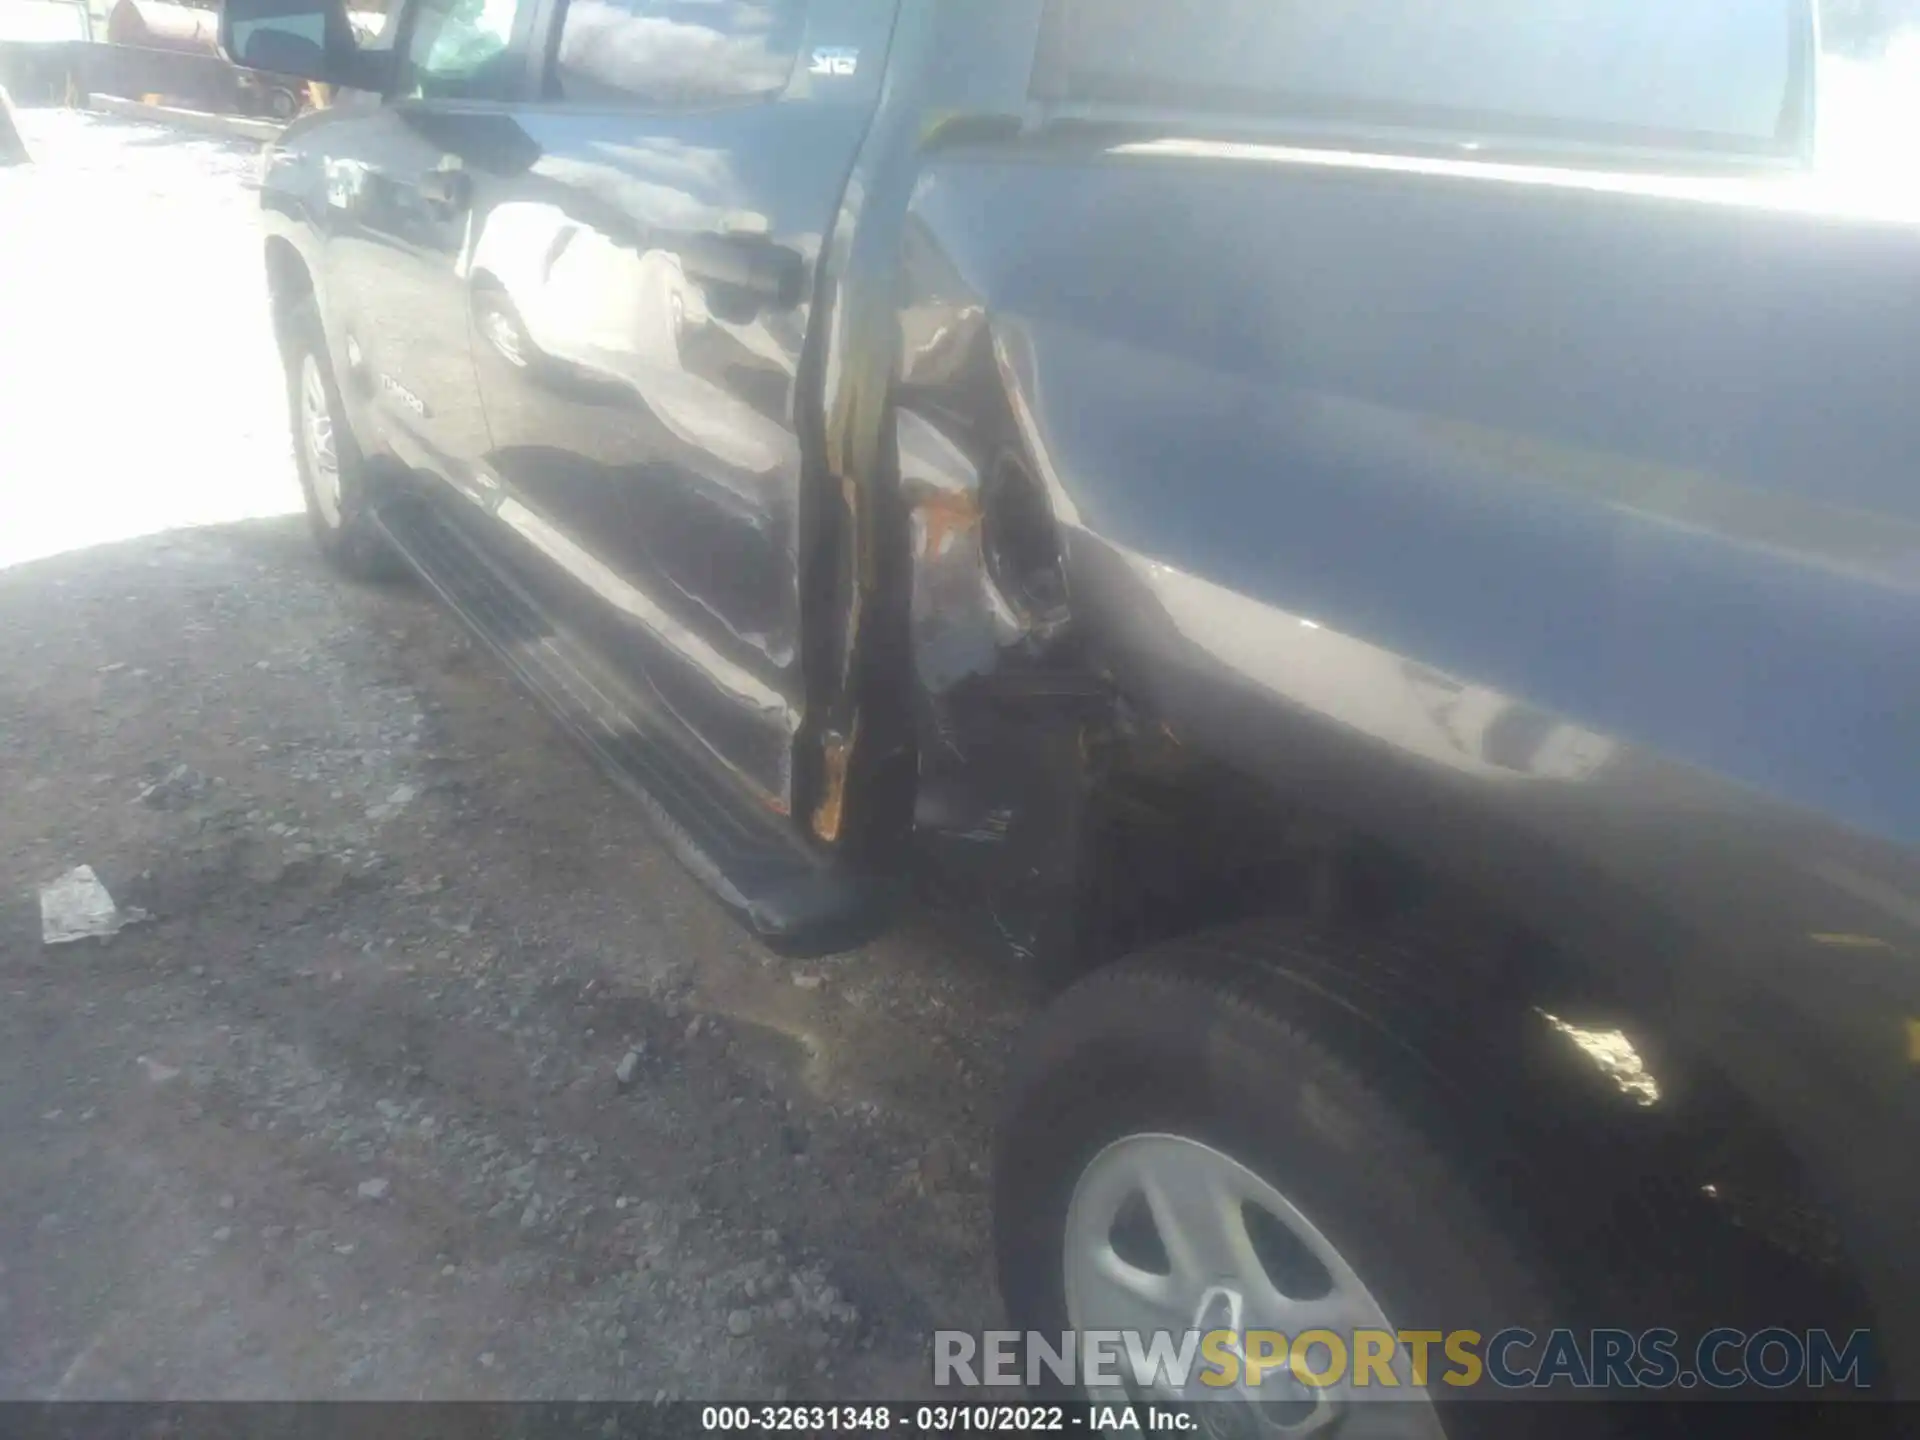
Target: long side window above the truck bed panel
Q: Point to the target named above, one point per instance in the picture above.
(1696, 74)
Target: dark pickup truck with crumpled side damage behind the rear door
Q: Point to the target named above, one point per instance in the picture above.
(1376, 542)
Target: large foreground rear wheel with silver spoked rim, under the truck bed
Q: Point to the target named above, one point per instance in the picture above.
(1182, 1155)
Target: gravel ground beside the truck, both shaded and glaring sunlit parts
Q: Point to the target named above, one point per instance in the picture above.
(343, 1115)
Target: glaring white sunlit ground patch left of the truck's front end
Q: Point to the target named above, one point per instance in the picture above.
(141, 375)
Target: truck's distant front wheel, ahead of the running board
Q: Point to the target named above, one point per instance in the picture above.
(335, 477)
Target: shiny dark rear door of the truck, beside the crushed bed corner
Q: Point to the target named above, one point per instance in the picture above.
(642, 304)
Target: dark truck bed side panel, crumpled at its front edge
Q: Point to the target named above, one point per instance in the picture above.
(1558, 531)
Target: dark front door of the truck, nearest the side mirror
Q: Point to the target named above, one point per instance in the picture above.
(402, 183)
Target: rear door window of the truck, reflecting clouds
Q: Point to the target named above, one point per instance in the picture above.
(663, 55)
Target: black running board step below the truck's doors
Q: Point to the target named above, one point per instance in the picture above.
(792, 898)
